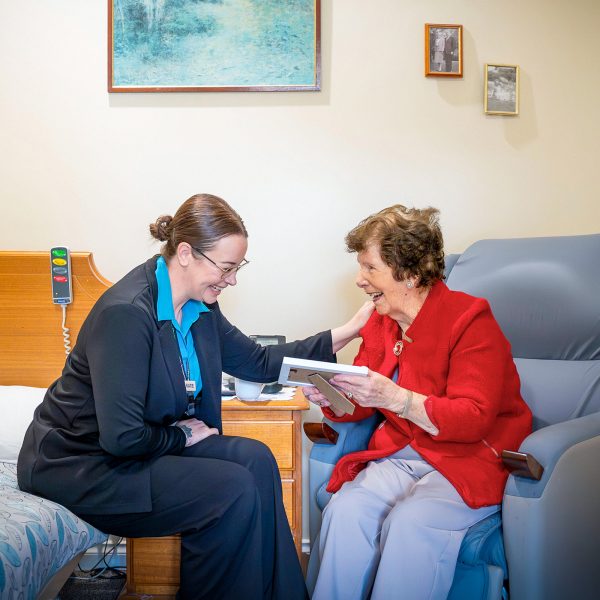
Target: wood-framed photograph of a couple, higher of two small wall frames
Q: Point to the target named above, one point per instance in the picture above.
(443, 50)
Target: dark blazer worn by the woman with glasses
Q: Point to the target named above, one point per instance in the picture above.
(109, 415)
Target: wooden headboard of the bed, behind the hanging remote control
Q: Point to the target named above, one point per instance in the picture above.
(32, 348)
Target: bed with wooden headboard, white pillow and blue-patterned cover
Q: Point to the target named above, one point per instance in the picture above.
(40, 541)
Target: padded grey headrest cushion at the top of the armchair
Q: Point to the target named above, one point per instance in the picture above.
(544, 292)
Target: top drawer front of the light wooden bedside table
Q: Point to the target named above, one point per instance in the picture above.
(278, 436)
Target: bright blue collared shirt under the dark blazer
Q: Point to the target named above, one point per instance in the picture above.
(189, 315)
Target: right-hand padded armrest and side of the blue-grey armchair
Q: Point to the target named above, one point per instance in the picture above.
(551, 527)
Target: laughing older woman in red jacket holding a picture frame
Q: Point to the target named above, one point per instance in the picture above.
(442, 376)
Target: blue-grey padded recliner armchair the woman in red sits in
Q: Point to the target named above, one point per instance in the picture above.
(545, 293)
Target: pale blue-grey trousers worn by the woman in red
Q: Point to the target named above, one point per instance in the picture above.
(393, 533)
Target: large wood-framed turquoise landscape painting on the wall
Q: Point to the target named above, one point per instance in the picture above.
(214, 45)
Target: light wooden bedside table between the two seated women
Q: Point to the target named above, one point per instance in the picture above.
(153, 563)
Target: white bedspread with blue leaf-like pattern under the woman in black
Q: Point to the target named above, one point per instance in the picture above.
(37, 538)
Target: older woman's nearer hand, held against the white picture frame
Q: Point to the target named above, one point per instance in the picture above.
(375, 390)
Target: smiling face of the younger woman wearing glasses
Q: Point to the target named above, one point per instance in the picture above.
(204, 279)
